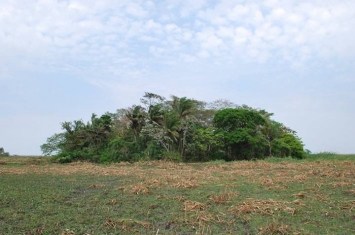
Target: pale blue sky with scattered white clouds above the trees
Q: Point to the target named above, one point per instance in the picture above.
(62, 60)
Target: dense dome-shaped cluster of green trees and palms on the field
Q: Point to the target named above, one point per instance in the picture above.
(179, 129)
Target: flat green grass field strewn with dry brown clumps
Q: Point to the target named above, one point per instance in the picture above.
(312, 196)
